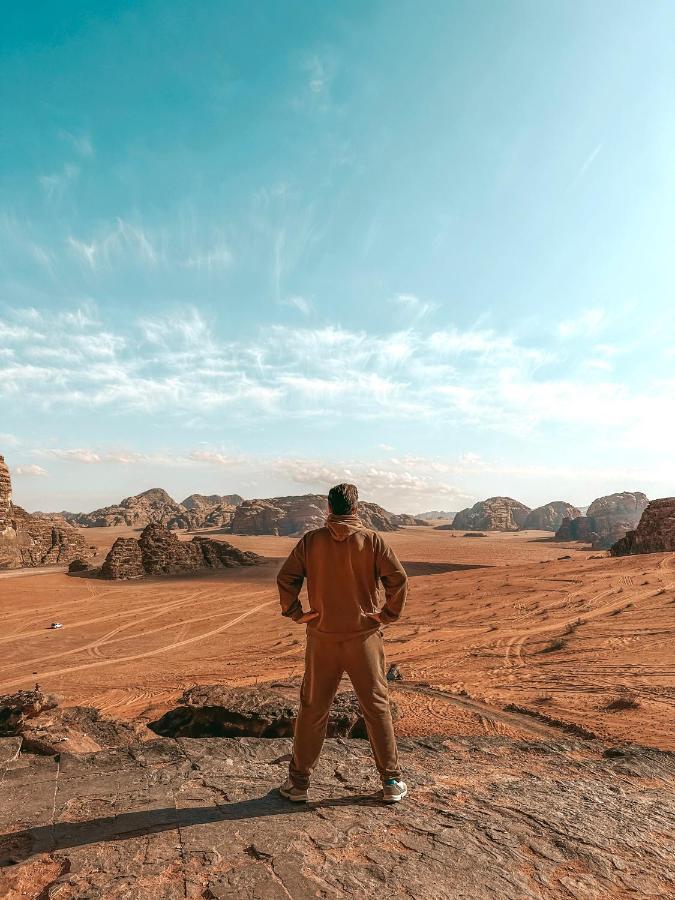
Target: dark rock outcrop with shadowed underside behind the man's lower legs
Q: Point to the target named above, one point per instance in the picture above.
(219, 711)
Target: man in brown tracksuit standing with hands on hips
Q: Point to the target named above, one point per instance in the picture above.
(343, 563)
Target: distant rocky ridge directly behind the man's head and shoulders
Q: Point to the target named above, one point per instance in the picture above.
(298, 514)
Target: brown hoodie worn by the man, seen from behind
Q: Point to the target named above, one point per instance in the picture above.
(343, 563)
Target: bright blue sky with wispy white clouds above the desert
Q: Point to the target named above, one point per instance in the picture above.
(266, 247)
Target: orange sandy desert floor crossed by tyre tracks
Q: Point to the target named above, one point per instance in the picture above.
(493, 623)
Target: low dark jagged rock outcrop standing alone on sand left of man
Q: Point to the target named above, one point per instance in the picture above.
(159, 552)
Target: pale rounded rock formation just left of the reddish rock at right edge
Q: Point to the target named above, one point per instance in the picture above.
(606, 521)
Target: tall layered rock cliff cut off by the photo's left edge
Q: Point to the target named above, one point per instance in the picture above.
(34, 540)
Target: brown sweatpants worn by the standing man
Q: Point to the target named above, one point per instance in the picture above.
(362, 658)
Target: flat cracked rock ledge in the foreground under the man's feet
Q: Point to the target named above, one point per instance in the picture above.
(200, 818)
